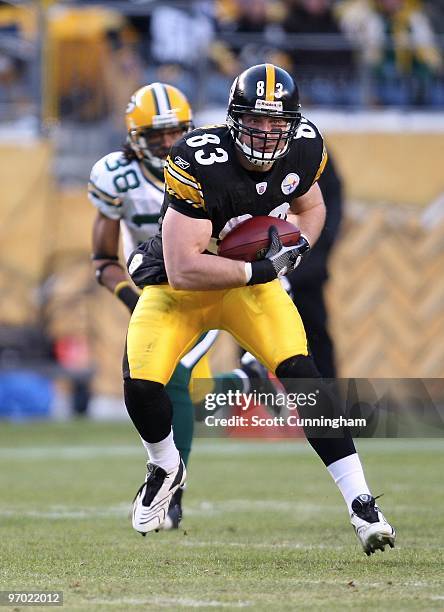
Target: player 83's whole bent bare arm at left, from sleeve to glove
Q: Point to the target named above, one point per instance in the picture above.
(184, 240)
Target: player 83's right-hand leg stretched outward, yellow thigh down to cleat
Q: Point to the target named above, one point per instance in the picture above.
(267, 323)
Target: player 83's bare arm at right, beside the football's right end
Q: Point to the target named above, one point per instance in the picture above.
(307, 212)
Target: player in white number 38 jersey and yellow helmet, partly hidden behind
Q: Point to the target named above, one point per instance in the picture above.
(127, 189)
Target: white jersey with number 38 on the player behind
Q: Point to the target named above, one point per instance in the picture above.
(127, 191)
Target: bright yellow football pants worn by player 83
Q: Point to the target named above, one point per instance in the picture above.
(166, 323)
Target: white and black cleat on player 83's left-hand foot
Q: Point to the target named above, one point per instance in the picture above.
(152, 500)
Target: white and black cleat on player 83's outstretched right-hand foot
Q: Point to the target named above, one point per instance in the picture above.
(371, 527)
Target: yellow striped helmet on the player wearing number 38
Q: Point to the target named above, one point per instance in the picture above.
(154, 112)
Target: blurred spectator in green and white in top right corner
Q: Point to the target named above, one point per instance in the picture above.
(398, 45)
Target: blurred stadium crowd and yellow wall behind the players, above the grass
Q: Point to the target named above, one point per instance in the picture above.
(67, 70)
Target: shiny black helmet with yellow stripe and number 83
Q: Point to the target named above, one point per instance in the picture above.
(267, 90)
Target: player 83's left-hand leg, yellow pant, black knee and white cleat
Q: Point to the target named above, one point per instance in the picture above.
(159, 334)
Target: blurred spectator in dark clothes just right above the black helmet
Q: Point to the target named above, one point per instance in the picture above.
(322, 58)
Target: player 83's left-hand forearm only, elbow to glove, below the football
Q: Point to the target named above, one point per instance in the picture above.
(202, 272)
